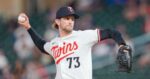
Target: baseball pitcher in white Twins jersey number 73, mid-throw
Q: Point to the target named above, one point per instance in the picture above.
(71, 50)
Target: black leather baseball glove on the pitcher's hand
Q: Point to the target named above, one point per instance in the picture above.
(124, 59)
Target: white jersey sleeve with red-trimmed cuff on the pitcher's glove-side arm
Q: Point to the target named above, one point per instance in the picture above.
(91, 36)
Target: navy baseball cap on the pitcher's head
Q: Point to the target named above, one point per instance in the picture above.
(66, 11)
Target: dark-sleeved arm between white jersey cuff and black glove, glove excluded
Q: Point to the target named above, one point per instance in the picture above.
(112, 34)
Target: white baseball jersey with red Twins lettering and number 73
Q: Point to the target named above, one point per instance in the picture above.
(72, 54)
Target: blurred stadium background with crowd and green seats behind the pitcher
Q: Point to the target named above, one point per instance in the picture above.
(20, 59)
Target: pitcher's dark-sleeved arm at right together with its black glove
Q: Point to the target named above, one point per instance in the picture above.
(124, 56)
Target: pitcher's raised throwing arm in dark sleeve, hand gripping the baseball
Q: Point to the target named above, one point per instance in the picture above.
(38, 41)
